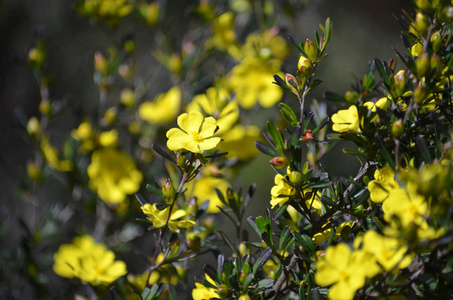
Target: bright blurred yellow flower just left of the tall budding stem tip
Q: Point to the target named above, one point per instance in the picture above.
(251, 81)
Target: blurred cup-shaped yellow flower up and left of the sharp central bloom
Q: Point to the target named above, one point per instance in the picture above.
(163, 109)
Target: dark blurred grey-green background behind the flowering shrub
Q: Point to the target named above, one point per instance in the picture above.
(363, 30)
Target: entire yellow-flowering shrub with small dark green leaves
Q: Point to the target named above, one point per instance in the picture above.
(386, 232)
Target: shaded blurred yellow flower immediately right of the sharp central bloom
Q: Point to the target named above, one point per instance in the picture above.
(239, 142)
